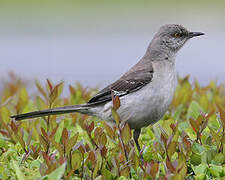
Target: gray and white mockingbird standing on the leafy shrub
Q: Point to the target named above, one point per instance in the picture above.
(145, 91)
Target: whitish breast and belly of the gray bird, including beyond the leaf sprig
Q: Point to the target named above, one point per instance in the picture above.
(147, 105)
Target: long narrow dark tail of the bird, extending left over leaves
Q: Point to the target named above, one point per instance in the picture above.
(53, 111)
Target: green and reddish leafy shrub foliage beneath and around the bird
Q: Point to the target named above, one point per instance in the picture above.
(188, 143)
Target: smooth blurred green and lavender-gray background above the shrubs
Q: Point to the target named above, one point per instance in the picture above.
(95, 42)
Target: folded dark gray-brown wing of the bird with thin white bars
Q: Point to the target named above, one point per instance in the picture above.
(130, 82)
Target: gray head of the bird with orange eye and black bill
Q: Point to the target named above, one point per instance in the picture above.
(172, 37)
